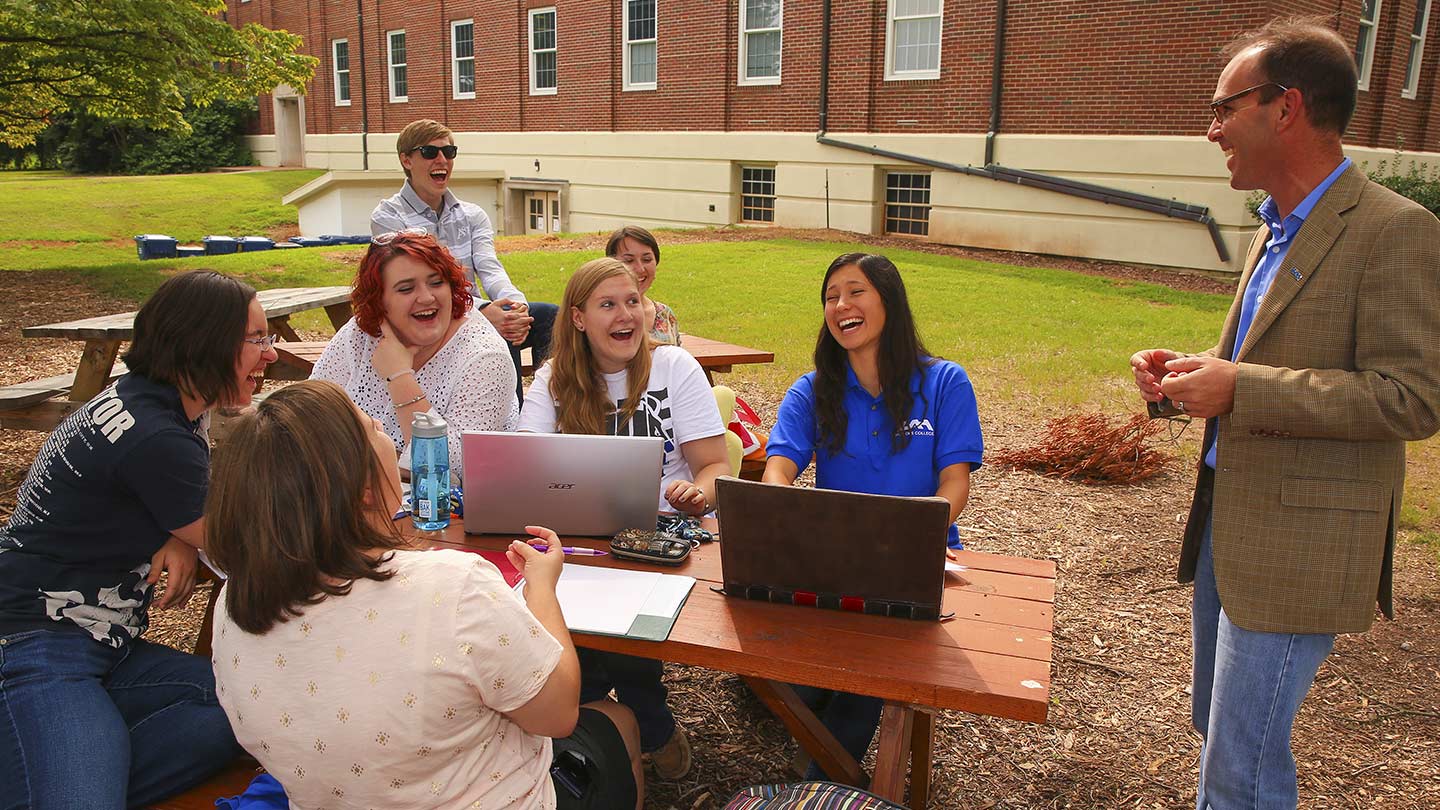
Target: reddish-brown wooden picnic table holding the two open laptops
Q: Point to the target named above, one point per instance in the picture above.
(993, 658)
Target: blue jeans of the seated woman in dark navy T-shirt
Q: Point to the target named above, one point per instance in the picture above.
(89, 727)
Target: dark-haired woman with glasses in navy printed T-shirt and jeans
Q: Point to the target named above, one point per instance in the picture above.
(91, 716)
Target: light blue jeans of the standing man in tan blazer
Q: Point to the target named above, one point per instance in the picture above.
(1248, 688)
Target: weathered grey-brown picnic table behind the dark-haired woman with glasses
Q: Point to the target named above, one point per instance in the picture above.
(38, 406)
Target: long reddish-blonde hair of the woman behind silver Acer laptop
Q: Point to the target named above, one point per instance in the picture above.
(577, 384)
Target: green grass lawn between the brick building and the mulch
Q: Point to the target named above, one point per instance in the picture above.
(1038, 342)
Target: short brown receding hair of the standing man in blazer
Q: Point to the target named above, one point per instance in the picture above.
(1305, 54)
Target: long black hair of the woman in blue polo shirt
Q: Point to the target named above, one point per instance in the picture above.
(902, 355)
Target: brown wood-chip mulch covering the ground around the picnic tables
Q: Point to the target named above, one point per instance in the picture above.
(1118, 734)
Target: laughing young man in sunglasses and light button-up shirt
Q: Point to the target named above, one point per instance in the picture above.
(428, 153)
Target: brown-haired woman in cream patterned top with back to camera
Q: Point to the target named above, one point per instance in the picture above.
(365, 674)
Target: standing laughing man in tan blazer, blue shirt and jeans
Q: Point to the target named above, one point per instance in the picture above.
(1328, 362)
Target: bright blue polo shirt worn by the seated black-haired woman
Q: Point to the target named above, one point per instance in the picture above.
(944, 430)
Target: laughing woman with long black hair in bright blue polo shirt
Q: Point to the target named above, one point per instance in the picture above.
(881, 416)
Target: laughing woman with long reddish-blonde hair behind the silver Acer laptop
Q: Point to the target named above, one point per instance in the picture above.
(606, 377)
